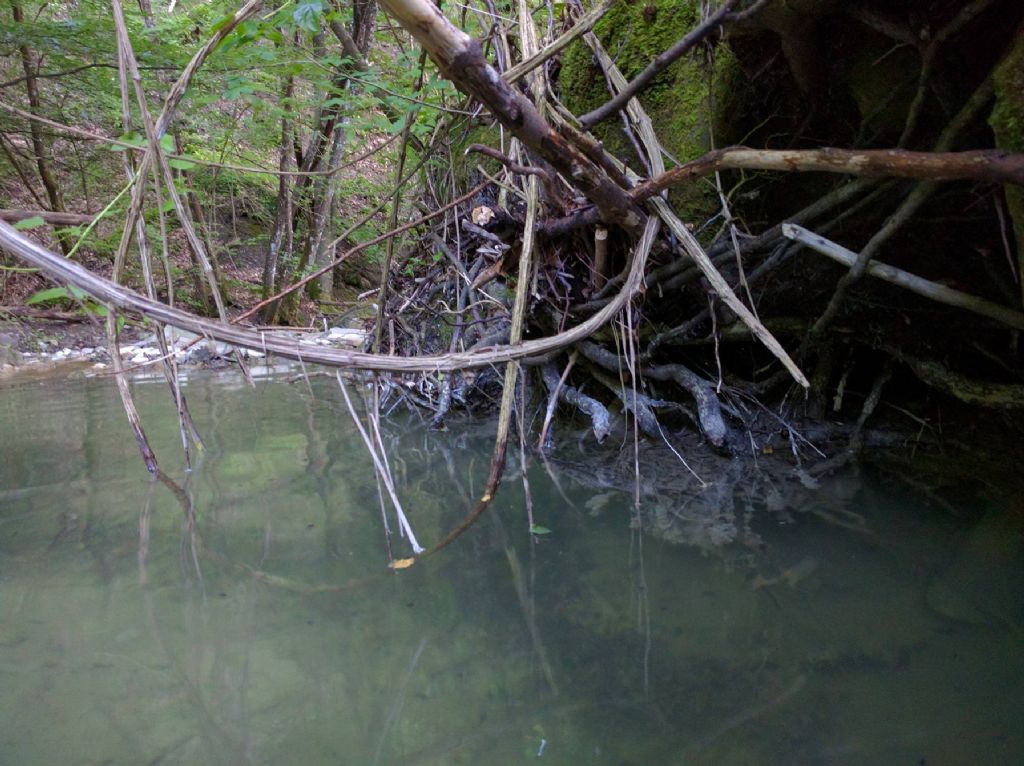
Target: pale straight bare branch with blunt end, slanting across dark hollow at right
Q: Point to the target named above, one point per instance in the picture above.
(915, 284)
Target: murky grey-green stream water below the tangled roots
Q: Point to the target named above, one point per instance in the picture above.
(852, 624)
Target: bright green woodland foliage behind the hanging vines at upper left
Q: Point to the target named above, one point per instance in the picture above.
(231, 114)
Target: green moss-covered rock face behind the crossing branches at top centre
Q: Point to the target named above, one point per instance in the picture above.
(689, 102)
